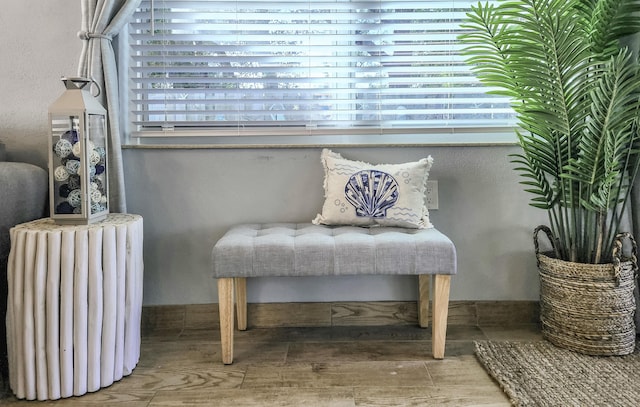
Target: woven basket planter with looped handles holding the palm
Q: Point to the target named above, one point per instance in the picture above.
(588, 308)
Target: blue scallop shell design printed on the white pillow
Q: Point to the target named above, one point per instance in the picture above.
(372, 193)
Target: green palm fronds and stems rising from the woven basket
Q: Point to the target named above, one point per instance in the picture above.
(575, 91)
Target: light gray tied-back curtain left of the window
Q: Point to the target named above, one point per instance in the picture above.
(102, 20)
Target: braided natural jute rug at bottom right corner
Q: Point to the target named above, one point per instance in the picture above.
(541, 374)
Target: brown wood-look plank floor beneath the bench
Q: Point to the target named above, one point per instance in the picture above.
(321, 366)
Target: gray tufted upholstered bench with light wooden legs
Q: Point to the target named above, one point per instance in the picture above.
(305, 249)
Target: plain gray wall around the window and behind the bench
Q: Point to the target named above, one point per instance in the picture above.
(189, 197)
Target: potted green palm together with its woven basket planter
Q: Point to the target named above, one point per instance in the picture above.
(575, 90)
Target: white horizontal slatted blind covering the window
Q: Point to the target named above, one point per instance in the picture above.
(305, 67)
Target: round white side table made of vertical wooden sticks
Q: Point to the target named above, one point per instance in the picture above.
(74, 305)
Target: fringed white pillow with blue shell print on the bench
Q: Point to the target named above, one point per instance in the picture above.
(362, 194)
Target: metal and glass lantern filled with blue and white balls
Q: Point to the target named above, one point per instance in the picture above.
(78, 182)
